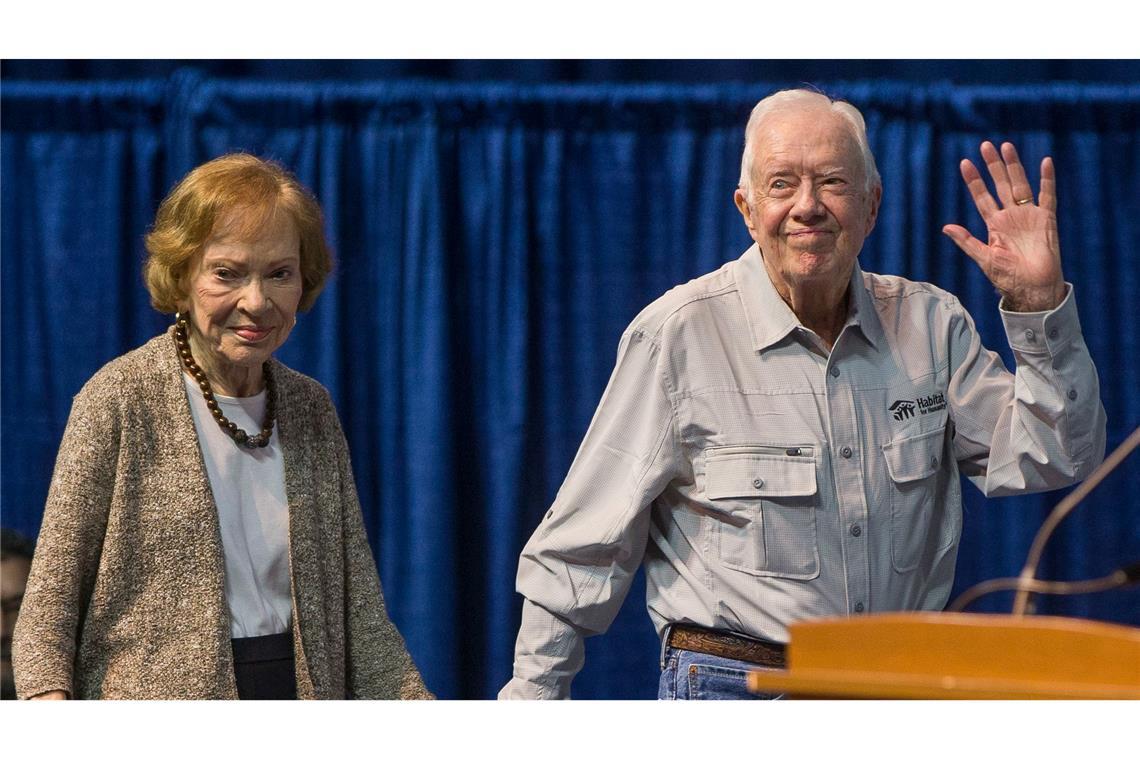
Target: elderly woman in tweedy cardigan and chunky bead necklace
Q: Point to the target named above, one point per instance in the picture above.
(202, 537)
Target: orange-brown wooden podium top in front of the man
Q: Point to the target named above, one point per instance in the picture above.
(960, 657)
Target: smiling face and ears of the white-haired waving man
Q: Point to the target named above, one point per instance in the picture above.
(809, 207)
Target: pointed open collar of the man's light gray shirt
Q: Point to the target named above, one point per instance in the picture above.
(770, 320)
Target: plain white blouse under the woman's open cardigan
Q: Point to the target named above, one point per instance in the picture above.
(249, 488)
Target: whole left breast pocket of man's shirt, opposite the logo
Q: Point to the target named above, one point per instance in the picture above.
(764, 502)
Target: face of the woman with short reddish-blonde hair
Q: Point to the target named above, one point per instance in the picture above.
(243, 297)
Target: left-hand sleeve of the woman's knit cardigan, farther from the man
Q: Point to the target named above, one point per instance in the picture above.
(70, 543)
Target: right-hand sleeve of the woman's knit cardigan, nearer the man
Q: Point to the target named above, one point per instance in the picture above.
(378, 664)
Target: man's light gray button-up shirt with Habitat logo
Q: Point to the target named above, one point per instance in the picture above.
(766, 480)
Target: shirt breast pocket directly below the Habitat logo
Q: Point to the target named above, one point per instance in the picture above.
(917, 529)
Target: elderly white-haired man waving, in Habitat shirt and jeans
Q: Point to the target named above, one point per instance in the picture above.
(783, 438)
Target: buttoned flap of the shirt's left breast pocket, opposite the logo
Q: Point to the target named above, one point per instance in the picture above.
(744, 475)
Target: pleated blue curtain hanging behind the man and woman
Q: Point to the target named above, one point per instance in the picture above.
(493, 242)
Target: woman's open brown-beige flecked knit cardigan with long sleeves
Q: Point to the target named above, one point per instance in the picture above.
(126, 598)
